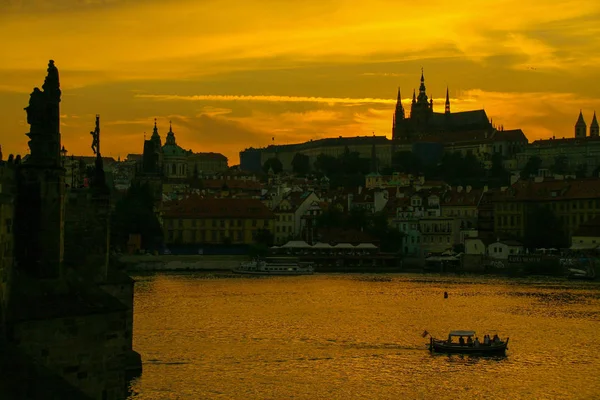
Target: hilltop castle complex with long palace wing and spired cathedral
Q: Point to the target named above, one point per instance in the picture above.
(424, 131)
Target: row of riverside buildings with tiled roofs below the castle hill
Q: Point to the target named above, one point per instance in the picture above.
(432, 216)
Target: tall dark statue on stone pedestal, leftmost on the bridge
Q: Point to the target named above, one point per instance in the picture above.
(39, 213)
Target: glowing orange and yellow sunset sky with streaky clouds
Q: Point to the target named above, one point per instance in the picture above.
(231, 74)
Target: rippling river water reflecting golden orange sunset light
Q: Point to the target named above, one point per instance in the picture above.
(204, 336)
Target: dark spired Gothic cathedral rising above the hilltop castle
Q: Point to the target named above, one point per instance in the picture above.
(423, 122)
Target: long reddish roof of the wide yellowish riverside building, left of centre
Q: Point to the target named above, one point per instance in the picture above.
(197, 207)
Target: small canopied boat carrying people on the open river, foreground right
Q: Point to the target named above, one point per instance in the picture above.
(465, 342)
